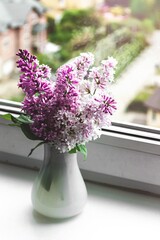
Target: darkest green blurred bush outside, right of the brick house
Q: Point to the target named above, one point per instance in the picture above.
(76, 29)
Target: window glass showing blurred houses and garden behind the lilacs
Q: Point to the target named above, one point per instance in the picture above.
(59, 30)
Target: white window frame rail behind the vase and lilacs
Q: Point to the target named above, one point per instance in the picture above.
(126, 155)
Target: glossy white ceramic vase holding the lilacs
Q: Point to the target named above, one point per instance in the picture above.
(59, 190)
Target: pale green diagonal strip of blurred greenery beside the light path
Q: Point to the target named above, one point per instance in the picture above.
(123, 44)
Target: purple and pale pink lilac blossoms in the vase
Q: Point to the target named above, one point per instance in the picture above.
(73, 109)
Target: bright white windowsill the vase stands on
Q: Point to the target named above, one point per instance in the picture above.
(110, 213)
